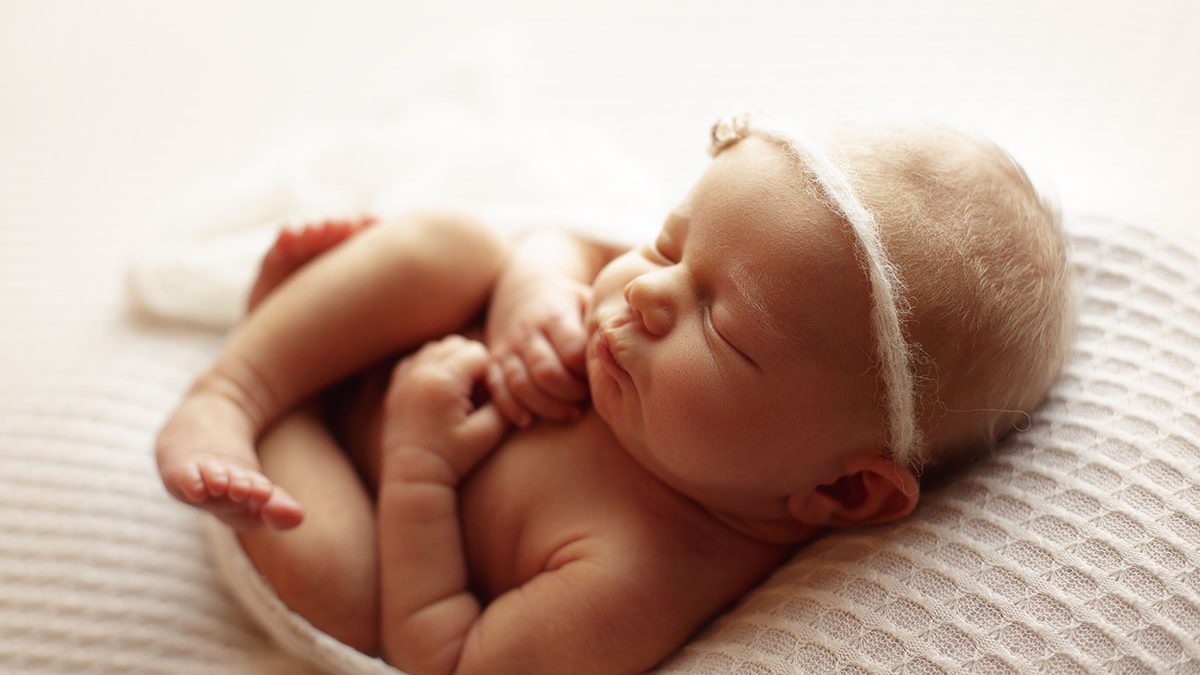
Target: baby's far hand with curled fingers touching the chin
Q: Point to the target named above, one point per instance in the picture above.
(537, 338)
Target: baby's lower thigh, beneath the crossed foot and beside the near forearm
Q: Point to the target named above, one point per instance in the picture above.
(326, 570)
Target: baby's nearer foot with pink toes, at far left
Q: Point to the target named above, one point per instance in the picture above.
(207, 459)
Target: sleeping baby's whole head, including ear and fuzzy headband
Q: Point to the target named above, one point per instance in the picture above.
(785, 361)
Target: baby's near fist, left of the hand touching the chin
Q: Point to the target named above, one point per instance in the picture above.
(430, 408)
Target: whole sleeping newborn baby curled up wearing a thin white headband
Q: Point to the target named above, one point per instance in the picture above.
(807, 336)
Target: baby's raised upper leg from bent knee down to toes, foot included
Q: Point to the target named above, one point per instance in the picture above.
(385, 291)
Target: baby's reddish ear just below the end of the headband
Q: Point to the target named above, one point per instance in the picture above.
(873, 491)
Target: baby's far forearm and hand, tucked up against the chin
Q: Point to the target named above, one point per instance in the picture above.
(536, 325)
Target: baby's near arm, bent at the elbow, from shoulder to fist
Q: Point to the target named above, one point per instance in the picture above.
(596, 608)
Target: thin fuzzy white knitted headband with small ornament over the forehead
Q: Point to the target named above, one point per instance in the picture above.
(904, 437)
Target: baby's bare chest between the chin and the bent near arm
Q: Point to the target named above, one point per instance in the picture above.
(539, 491)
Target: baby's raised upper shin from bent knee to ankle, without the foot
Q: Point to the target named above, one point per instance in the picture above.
(387, 290)
